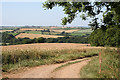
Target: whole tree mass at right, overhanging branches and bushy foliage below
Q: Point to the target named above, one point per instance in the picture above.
(106, 31)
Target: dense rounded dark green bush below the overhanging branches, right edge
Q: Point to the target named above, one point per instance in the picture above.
(109, 37)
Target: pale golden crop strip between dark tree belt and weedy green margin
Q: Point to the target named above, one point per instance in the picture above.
(48, 46)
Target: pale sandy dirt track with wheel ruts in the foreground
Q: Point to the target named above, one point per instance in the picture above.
(46, 71)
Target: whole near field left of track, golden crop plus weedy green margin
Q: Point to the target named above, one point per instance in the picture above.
(28, 55)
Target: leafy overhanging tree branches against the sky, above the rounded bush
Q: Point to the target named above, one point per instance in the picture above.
(109, 10)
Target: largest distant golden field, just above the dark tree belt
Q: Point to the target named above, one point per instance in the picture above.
(32, 36)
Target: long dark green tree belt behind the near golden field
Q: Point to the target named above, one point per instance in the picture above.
(9, 39)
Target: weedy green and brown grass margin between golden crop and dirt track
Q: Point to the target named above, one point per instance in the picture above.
(16, 59)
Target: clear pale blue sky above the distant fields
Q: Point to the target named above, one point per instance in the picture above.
(32, 13)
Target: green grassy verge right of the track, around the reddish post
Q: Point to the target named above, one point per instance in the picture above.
(109, 66)
